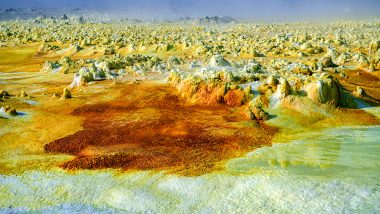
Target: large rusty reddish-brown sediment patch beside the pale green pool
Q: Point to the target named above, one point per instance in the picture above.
(150, 128)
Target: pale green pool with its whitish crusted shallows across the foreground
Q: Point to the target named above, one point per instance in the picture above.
(330, 171)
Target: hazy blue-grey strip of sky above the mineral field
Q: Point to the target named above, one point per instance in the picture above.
(252, 9)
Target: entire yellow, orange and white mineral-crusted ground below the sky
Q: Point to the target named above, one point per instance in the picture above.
(204, 115)
